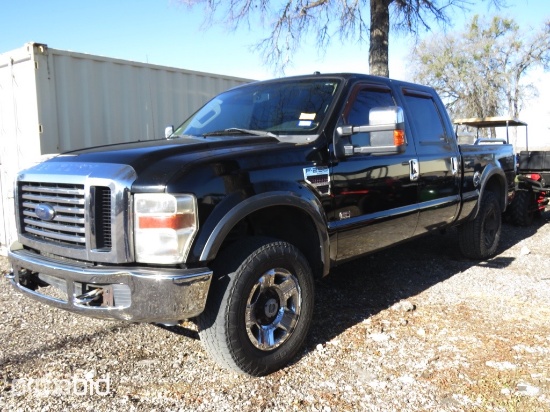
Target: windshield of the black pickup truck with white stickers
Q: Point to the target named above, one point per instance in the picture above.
(296, 107)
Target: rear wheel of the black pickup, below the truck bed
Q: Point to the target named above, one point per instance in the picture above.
(479, 238)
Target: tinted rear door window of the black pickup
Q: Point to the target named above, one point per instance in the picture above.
(425, 118)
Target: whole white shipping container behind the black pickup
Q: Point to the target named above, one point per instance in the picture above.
(52, 101)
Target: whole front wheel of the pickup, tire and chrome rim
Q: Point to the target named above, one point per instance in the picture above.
(260, 307)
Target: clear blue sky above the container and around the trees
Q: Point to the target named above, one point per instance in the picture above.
(166, 32)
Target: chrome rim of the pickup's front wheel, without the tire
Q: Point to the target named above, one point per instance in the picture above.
(272, 309)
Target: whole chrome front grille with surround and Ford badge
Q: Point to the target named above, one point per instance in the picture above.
(77, 210)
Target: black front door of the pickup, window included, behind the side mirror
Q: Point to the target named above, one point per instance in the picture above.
(373, 195)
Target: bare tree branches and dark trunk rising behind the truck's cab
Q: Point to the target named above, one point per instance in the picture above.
(292, 22)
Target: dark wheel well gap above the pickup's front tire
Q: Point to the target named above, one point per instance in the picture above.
(286, 223)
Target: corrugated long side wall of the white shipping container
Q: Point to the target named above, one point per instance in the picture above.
(102, 100)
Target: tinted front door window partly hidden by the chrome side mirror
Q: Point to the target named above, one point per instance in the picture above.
(358, 114)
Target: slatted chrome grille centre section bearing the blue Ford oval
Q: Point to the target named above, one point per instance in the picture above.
(66, 222)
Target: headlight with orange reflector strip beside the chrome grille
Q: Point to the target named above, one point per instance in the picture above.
(164, 227)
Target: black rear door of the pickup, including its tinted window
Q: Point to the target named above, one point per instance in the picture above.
(438, 157)
